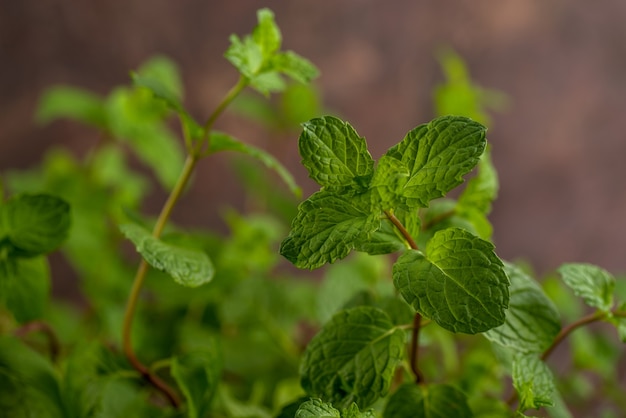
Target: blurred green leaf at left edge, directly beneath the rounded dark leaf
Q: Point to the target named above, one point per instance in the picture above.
(25, 287)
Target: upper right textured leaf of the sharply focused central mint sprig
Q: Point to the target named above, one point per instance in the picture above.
(437, 156)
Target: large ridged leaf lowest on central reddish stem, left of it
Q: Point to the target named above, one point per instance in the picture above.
(353, 358)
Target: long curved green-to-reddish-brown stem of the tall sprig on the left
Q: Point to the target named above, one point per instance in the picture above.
(131, 306)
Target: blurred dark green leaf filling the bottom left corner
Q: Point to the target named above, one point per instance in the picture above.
(29, 385)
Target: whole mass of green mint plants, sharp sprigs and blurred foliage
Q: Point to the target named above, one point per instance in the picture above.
(213, 325)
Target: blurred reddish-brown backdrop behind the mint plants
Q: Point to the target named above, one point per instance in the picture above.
(559, 146)
